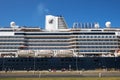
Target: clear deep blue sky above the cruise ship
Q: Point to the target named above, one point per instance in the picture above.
(32, 12)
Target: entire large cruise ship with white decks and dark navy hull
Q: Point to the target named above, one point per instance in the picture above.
(85, 46)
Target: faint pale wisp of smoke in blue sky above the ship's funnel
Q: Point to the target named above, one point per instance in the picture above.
(42, 10)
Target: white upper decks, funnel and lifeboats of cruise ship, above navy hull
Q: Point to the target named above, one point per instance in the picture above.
(57, 40)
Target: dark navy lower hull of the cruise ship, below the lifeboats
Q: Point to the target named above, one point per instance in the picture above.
(58, 63)
